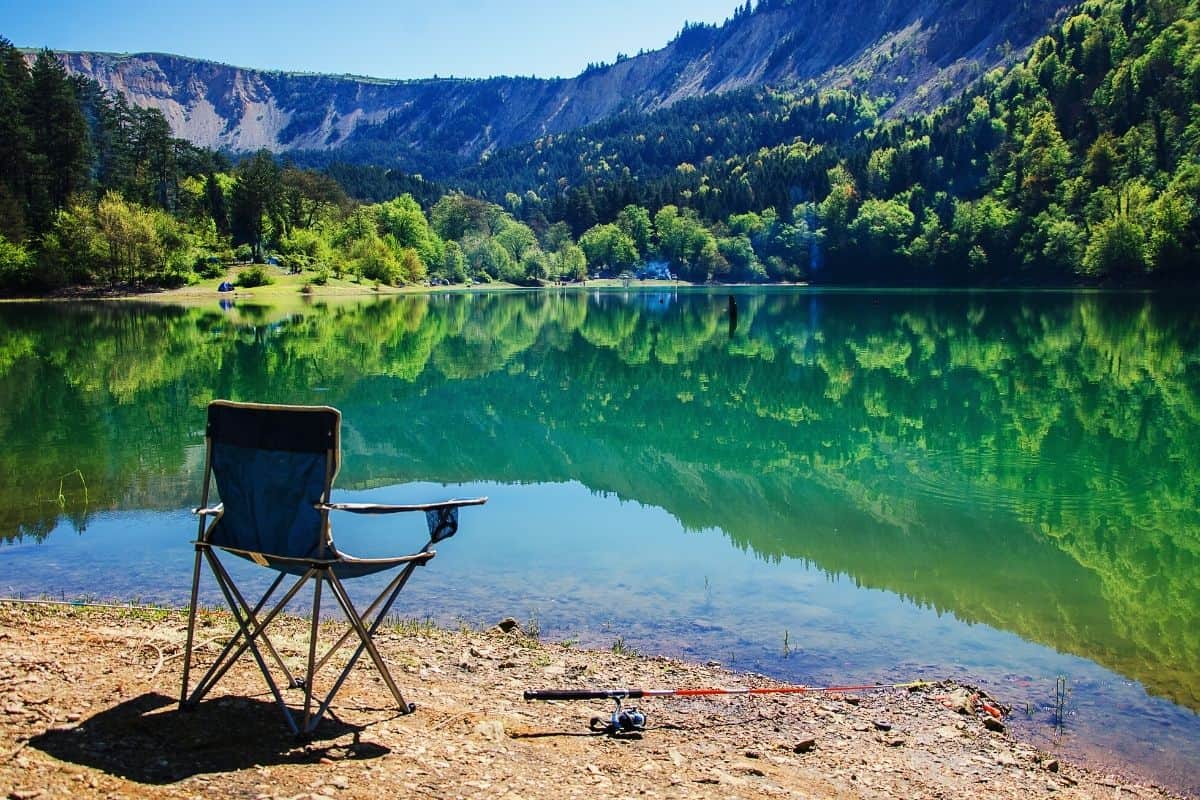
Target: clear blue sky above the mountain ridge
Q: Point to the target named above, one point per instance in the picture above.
(371, 38)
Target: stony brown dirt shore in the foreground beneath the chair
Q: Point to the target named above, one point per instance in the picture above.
(89, 708)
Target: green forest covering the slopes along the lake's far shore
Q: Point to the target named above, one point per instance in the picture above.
(1078, 166)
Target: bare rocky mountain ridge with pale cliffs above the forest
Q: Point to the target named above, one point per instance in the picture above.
(916, 52)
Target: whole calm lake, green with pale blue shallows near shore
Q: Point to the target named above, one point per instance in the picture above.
(1000, 489)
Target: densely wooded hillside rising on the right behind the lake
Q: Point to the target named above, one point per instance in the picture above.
(1078, 165)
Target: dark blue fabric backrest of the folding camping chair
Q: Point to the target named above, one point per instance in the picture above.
(272, 465)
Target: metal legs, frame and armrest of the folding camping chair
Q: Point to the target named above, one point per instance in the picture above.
(251, 634)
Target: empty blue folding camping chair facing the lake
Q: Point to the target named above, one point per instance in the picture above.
(274, 468)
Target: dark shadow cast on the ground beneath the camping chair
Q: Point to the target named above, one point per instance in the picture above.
(149, 741)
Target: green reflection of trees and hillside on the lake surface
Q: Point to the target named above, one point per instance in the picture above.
(1029, 462)
